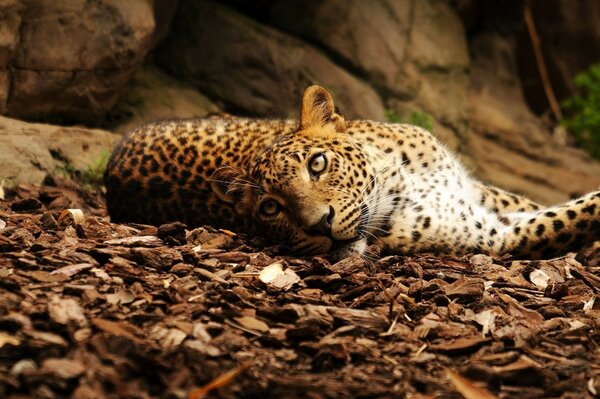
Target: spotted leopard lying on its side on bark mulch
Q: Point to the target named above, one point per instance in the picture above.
(326, 185)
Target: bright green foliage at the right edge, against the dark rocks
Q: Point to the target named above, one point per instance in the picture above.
(583, 111)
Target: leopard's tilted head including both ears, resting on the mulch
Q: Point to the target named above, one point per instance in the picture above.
(308, 189)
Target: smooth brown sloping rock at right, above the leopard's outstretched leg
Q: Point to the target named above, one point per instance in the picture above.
(508, 143)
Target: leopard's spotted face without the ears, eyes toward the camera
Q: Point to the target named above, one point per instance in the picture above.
(311, 191)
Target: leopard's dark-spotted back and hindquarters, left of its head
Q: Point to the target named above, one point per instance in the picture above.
(160, 172)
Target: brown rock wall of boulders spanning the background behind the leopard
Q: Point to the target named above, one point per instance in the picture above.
(464, 63)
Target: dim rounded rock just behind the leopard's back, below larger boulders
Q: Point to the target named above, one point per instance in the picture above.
(153, 95)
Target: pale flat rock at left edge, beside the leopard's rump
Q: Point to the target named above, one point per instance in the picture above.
(31, 150)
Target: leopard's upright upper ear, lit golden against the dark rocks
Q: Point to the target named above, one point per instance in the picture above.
(318, 110)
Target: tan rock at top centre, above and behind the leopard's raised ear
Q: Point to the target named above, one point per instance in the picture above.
(358, 32)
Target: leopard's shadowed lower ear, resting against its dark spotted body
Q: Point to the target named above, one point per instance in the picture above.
(232, 185)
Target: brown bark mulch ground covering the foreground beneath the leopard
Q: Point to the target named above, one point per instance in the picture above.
(91, 309)
